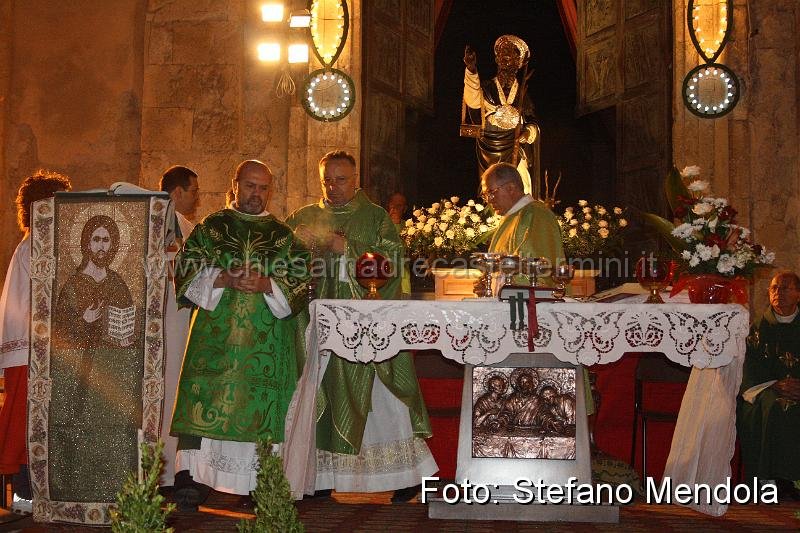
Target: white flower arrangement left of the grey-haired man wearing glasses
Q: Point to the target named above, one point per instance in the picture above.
(447, 228)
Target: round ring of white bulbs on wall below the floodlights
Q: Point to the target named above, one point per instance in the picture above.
(328, 94)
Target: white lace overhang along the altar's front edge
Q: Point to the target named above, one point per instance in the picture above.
(479, 332)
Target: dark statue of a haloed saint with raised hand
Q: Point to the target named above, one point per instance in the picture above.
(509, 133)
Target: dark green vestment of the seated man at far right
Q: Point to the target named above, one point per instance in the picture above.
(769, 428)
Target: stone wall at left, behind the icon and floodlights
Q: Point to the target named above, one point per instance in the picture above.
(118, 90)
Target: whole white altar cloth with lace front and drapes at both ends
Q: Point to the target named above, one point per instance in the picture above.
(710, 338)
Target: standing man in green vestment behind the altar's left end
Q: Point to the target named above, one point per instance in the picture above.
(371, 420)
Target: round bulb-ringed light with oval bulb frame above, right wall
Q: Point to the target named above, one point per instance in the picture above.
(722, 101)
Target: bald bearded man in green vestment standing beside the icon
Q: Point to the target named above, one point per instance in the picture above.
(245, 275)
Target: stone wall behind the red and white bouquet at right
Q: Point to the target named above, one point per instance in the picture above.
(751, 154)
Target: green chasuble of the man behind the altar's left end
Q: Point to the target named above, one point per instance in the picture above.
(344, 398)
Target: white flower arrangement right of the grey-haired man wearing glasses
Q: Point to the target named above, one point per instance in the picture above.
(587, 231)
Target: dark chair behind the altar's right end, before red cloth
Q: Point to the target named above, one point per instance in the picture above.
(653, 368)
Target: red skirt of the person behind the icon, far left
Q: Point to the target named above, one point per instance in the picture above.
(13, 420)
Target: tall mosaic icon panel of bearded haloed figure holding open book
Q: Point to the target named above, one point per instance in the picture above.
(98, 279)
